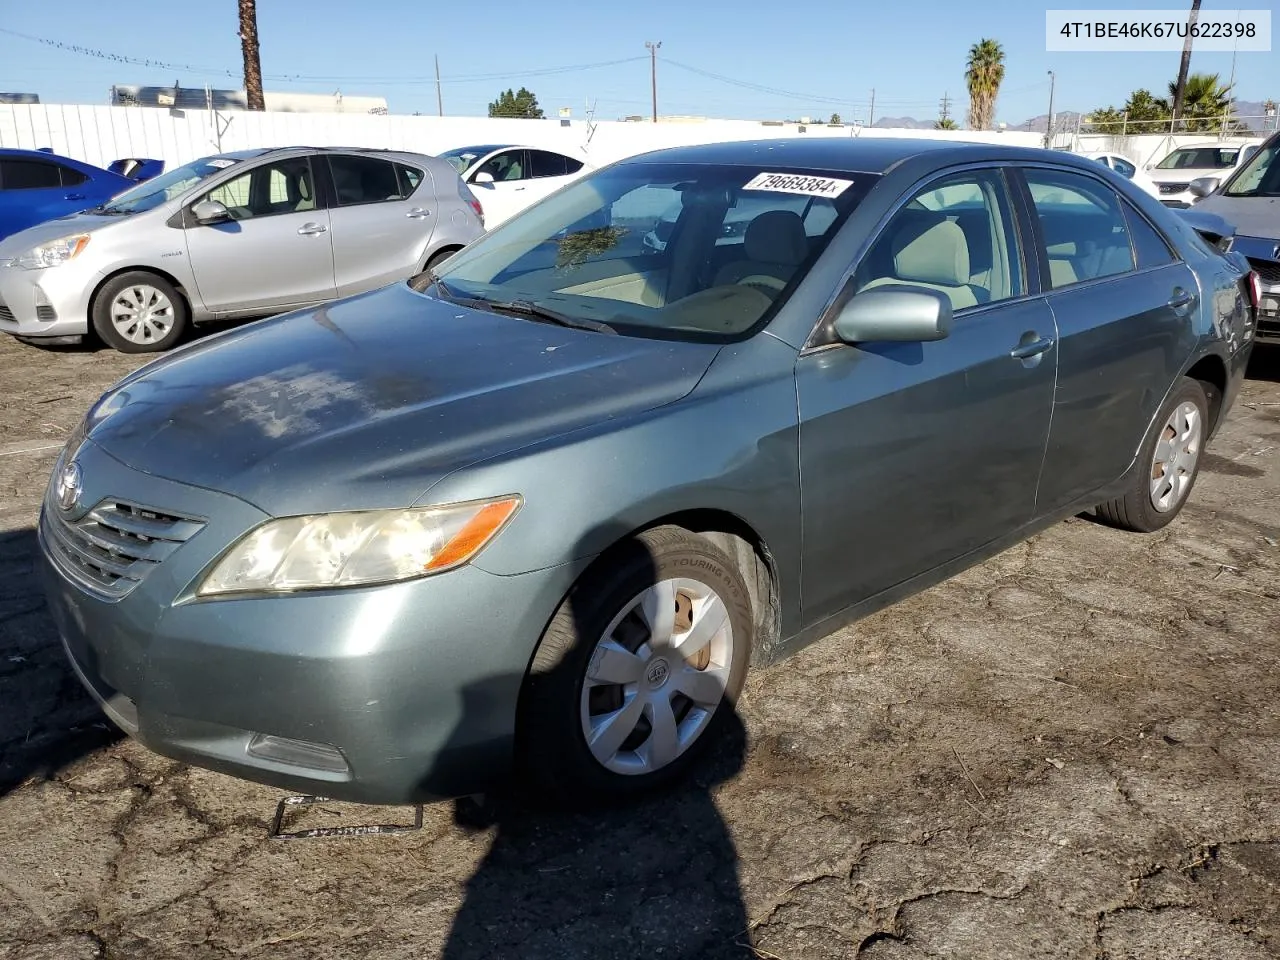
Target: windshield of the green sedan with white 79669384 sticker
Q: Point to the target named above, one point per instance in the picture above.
(674, 252)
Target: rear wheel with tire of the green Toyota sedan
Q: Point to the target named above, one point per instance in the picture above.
(1168, 464)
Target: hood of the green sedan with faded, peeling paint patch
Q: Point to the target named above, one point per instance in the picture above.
(369, 401)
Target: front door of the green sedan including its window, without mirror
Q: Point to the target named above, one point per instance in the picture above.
(916, 454)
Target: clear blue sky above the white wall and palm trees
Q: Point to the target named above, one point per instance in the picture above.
(821, 57)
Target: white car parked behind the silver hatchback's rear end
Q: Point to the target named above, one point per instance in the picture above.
(509, 179)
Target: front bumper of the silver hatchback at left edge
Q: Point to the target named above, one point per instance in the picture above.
(47, 304)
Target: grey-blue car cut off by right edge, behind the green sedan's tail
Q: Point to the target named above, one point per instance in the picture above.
(1250, 200)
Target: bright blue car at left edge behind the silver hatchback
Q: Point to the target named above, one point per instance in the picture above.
(39, 185)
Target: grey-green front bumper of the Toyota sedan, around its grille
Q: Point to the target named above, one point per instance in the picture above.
(413, 687)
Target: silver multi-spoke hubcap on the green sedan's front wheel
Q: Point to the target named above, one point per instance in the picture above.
(656, 678)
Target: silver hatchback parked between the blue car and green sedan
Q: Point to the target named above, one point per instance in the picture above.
(239, 235)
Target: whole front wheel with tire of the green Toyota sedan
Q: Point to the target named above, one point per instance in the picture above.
(638, 671)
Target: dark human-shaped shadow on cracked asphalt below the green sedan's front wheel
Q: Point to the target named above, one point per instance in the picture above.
(656, 876)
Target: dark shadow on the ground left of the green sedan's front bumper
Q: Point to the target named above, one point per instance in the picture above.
(48, 721)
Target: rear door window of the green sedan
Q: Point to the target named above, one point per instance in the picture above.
(1085, 228)
